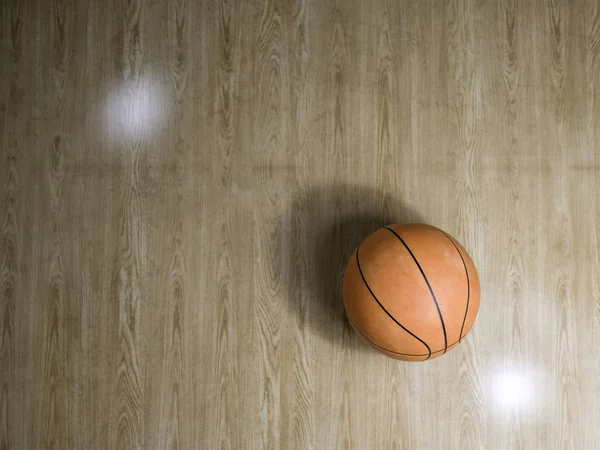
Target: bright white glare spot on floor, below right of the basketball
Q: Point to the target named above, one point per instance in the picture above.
(514, 389)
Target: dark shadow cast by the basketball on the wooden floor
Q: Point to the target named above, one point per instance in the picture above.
(328, 224)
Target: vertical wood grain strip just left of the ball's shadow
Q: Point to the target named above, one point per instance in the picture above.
(269, 203)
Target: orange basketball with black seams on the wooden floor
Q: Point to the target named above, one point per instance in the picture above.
(411, 291)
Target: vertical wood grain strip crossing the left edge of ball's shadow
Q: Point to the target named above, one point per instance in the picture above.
(300, 398)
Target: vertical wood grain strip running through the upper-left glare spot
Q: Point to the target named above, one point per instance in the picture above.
(128, 286)
